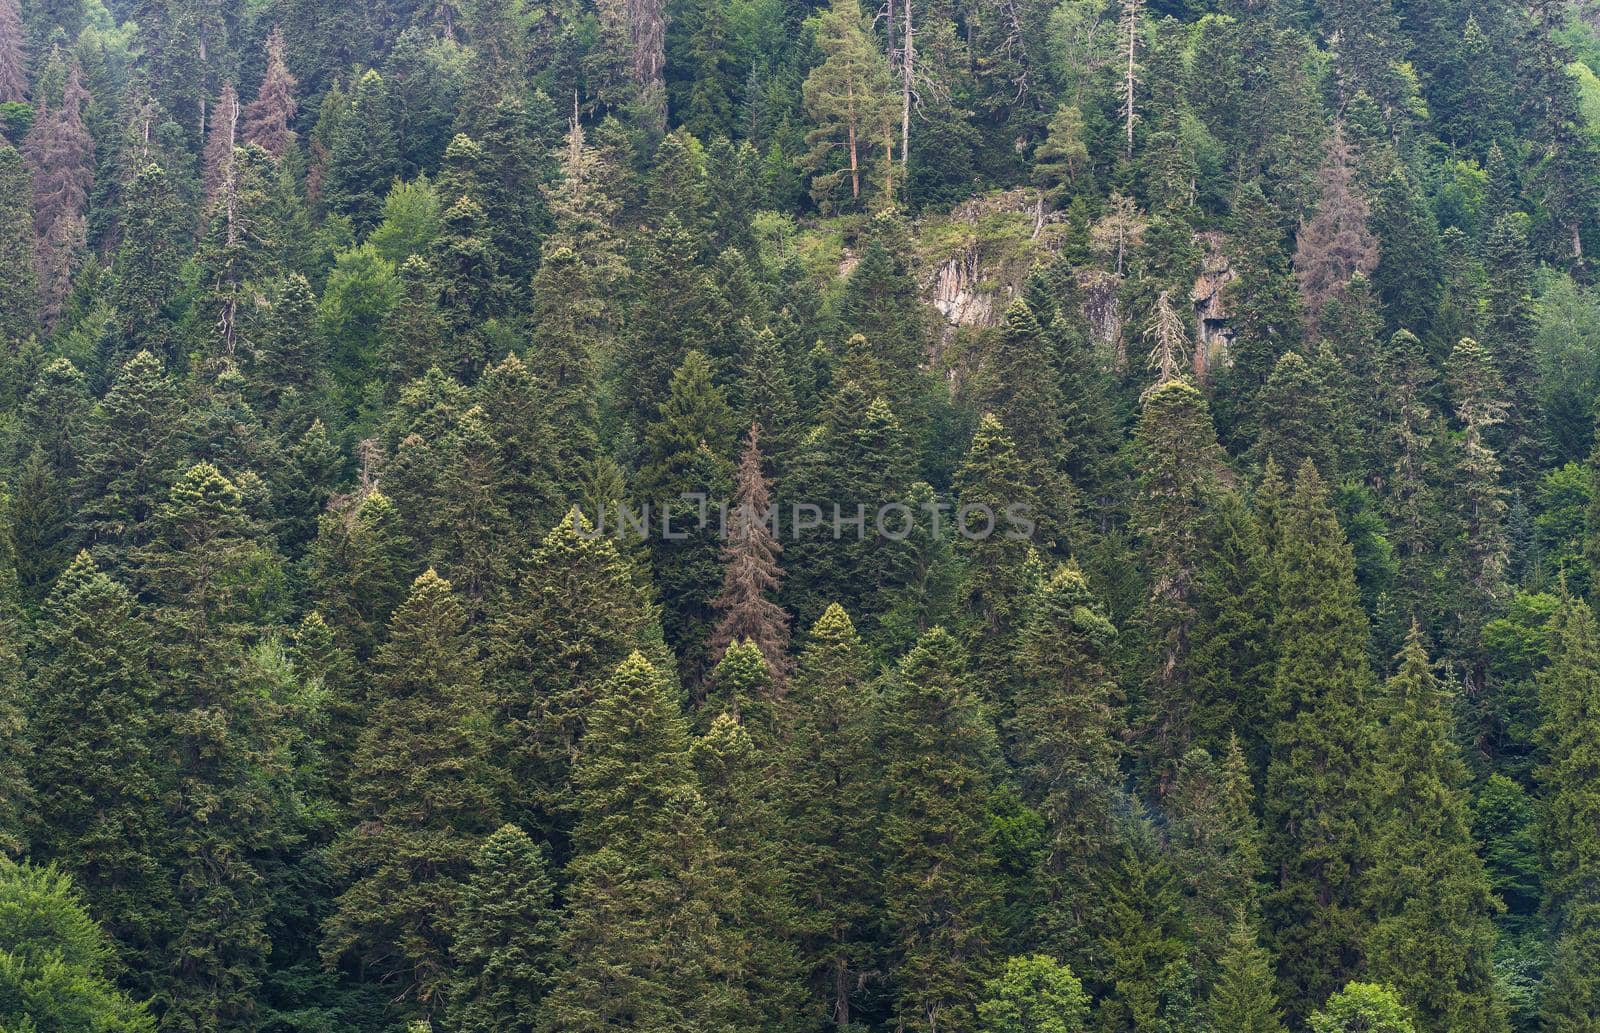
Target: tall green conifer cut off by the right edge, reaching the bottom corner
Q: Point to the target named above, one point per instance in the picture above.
(1570, 696)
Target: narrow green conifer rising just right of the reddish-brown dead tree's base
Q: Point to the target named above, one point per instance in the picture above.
(831, 776)
